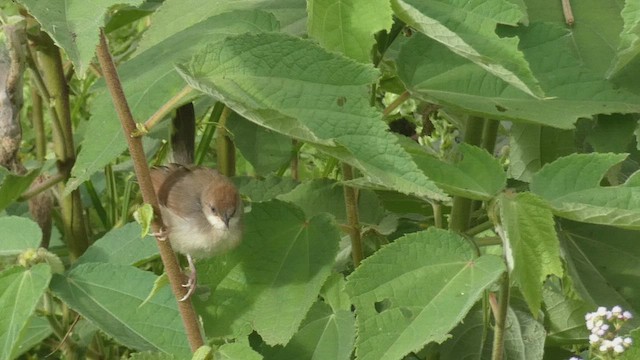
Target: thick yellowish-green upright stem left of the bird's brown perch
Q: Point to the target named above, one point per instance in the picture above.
(73, 217)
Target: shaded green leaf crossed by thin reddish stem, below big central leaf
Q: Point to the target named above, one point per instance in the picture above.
(326, 196)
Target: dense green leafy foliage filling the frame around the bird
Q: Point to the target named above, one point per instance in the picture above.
(443, 215)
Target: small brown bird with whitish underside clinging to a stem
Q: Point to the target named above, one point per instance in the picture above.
(202, 211)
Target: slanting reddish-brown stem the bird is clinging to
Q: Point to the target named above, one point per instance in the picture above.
(141, 168)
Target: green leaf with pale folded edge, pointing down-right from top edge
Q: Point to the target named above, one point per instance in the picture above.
(469, 30)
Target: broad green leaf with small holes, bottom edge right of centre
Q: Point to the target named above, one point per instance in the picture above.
(415, 290)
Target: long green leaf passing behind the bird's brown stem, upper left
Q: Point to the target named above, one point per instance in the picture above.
(149, 87)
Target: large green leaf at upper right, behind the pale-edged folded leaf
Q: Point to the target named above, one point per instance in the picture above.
(433, 73)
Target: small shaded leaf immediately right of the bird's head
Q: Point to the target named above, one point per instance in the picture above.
(259, 190)
